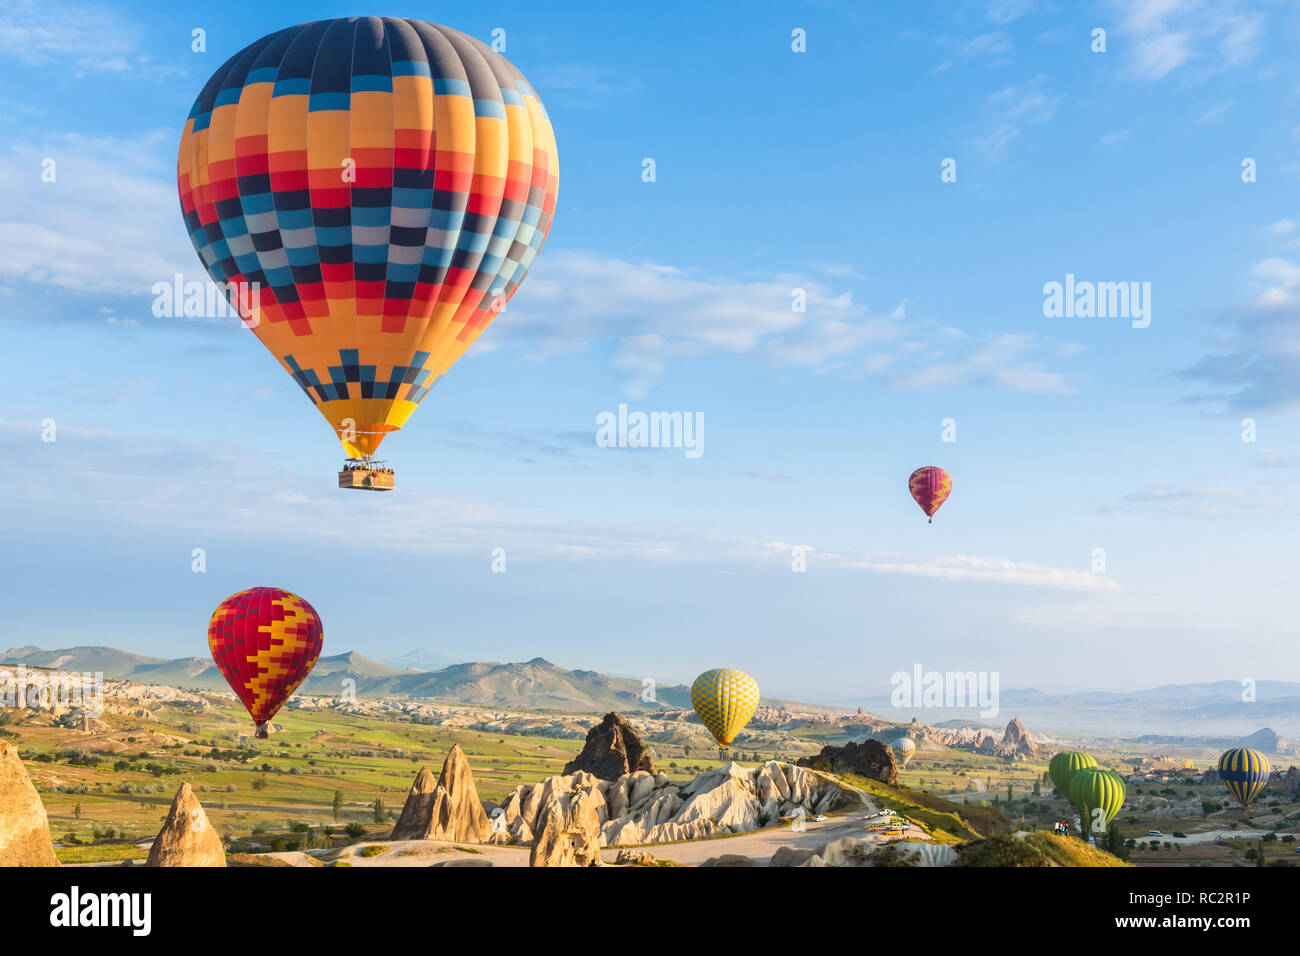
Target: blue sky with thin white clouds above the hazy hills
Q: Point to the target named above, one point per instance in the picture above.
(775, 171)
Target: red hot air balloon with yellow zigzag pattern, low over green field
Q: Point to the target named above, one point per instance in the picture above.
(265, 642)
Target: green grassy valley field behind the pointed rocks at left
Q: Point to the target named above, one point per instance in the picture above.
(112, 788)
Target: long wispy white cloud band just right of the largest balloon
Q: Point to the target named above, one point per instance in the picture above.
(656, 315)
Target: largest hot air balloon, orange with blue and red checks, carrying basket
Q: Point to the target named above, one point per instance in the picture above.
(385, 187)
